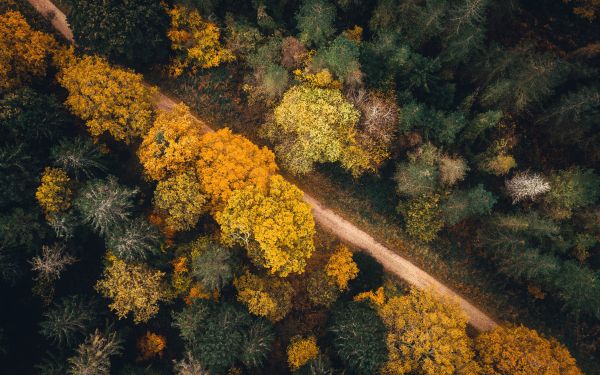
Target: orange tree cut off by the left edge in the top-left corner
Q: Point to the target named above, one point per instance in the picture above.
(23, 51)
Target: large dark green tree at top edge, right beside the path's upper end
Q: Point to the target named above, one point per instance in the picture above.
(132, 32)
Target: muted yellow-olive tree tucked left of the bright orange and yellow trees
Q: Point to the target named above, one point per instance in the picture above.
(180, 200)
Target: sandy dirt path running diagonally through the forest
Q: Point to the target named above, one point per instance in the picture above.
(328, 219)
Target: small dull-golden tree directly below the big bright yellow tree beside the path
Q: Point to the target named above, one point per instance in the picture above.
(269, 297)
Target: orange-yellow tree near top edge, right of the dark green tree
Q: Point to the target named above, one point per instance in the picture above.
(195, 41)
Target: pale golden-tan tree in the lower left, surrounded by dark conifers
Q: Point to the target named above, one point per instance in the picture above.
(132, 288)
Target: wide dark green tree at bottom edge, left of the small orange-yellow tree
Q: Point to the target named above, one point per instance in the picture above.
(216, 334)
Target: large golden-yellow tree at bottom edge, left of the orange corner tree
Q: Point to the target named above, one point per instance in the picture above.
(426, 336)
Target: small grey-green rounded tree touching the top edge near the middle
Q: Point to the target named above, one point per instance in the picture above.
(315, 20)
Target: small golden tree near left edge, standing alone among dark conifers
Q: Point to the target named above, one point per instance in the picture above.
(54, 193)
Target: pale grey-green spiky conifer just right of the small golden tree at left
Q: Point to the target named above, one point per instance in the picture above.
(105, 204)
